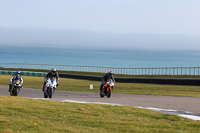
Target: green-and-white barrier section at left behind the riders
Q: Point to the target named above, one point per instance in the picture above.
(26, 73)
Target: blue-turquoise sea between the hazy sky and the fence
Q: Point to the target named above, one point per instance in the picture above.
(100, 57)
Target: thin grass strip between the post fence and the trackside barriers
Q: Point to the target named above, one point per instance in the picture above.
(101, 74)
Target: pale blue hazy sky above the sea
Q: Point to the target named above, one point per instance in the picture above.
(142, 24)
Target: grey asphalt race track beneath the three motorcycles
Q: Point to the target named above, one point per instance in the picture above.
(165, 104)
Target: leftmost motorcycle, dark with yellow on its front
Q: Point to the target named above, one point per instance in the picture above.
(16, 87)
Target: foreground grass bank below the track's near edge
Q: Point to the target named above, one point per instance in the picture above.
(18, 114)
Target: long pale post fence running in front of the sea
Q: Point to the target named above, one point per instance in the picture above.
(128, 71)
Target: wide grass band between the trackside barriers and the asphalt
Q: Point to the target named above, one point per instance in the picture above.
(68, 84)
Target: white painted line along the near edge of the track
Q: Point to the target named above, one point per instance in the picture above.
(169, 111)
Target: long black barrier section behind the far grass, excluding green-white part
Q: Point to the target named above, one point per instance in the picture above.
(169, 81)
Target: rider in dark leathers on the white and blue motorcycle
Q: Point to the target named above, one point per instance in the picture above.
(52, 73)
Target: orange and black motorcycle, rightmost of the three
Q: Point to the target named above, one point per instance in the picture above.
(107, 89)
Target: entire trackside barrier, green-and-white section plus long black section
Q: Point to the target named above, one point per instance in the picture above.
(170, 81)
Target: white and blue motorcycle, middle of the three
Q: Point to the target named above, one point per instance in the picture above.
(50, 87)
